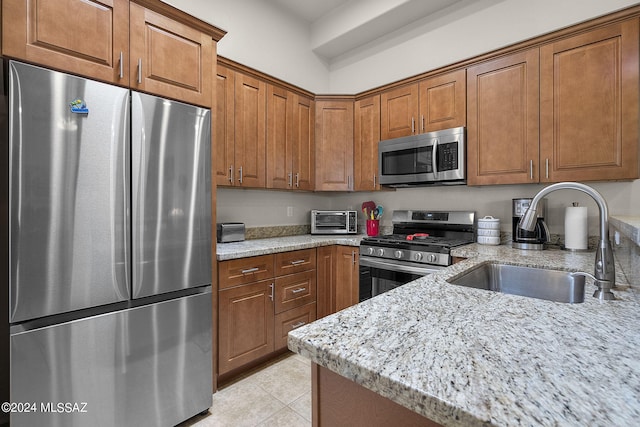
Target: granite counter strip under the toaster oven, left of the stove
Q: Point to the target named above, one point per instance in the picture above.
(225, 251)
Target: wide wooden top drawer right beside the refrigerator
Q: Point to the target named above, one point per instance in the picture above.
(244, 270)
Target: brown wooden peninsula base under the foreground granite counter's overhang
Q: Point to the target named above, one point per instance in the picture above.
(339, 401)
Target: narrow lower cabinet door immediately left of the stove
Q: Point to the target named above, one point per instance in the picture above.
(347, 287)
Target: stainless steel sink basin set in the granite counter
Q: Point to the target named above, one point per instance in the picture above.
(552, 285)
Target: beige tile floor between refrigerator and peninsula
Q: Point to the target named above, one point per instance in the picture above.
(278, 394)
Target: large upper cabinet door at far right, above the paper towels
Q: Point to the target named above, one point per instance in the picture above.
(589, 105)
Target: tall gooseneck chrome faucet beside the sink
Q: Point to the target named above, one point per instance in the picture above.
(605, 274)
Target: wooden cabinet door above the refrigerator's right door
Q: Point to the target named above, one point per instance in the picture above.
(169, 58)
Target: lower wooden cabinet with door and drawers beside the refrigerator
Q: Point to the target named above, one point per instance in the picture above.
(255, 316)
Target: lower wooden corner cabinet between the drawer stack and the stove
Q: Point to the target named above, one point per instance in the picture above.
(337, 278)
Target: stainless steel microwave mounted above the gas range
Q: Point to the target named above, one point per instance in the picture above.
(428, 158)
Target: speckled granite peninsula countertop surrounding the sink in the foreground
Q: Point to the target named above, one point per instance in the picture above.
(467, 357)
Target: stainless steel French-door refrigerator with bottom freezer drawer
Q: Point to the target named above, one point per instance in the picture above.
(109, 259)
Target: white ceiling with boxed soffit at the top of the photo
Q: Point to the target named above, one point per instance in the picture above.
(338, 26)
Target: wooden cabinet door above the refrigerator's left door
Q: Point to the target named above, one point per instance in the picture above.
(92, 40)
